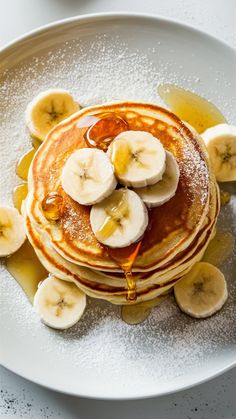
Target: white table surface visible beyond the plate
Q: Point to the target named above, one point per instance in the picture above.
(22, 399)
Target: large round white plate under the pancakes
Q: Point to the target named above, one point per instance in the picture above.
(99, 58)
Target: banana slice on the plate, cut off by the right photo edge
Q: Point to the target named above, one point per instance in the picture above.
(220, 141)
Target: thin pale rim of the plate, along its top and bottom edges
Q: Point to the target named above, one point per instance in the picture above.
(91, 17)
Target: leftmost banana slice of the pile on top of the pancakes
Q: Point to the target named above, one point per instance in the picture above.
(88, 176)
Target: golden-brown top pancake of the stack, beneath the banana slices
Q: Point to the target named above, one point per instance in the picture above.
(172, 226)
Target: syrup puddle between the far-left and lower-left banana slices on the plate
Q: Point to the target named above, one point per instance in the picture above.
(25, 267)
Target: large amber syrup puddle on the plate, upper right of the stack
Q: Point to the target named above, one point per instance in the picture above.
(189, 107)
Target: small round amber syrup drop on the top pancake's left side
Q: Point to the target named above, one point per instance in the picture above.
(52, 206)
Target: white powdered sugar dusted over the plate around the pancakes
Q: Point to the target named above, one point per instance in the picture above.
(168, 344)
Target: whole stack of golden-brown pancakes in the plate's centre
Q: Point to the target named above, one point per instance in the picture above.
(178, 231)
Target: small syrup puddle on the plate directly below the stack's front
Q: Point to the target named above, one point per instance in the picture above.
(138, 313)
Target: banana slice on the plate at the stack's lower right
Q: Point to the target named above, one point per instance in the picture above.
(202, 291)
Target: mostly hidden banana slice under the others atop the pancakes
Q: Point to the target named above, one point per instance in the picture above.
(164, 190)
